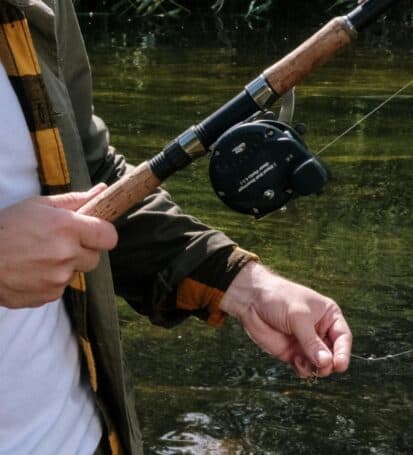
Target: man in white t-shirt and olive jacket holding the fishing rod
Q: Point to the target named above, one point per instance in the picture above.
(55, 398)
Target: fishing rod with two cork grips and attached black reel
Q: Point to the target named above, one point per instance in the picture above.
(257, 165)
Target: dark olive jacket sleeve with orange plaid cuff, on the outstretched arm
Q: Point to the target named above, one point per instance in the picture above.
(167, 265)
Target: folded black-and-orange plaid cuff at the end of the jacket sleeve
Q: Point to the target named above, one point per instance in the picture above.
(201, 292)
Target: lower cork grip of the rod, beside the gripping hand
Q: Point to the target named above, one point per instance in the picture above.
(122, 195)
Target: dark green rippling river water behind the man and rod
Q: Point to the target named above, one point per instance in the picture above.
(206, 391)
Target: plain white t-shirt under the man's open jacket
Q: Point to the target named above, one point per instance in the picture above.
(46, 407)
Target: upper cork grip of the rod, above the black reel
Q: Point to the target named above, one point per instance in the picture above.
(287, 72)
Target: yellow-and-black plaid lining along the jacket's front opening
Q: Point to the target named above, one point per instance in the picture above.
(19, 59)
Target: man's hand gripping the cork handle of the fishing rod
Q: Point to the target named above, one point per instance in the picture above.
(43, 241)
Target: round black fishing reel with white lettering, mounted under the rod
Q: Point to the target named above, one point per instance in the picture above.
(258, 166)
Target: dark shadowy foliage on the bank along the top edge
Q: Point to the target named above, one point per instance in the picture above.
(226, 15)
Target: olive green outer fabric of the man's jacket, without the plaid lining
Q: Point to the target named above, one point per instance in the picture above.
(158, 245)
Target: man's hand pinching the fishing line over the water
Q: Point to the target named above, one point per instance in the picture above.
(291, 322)
